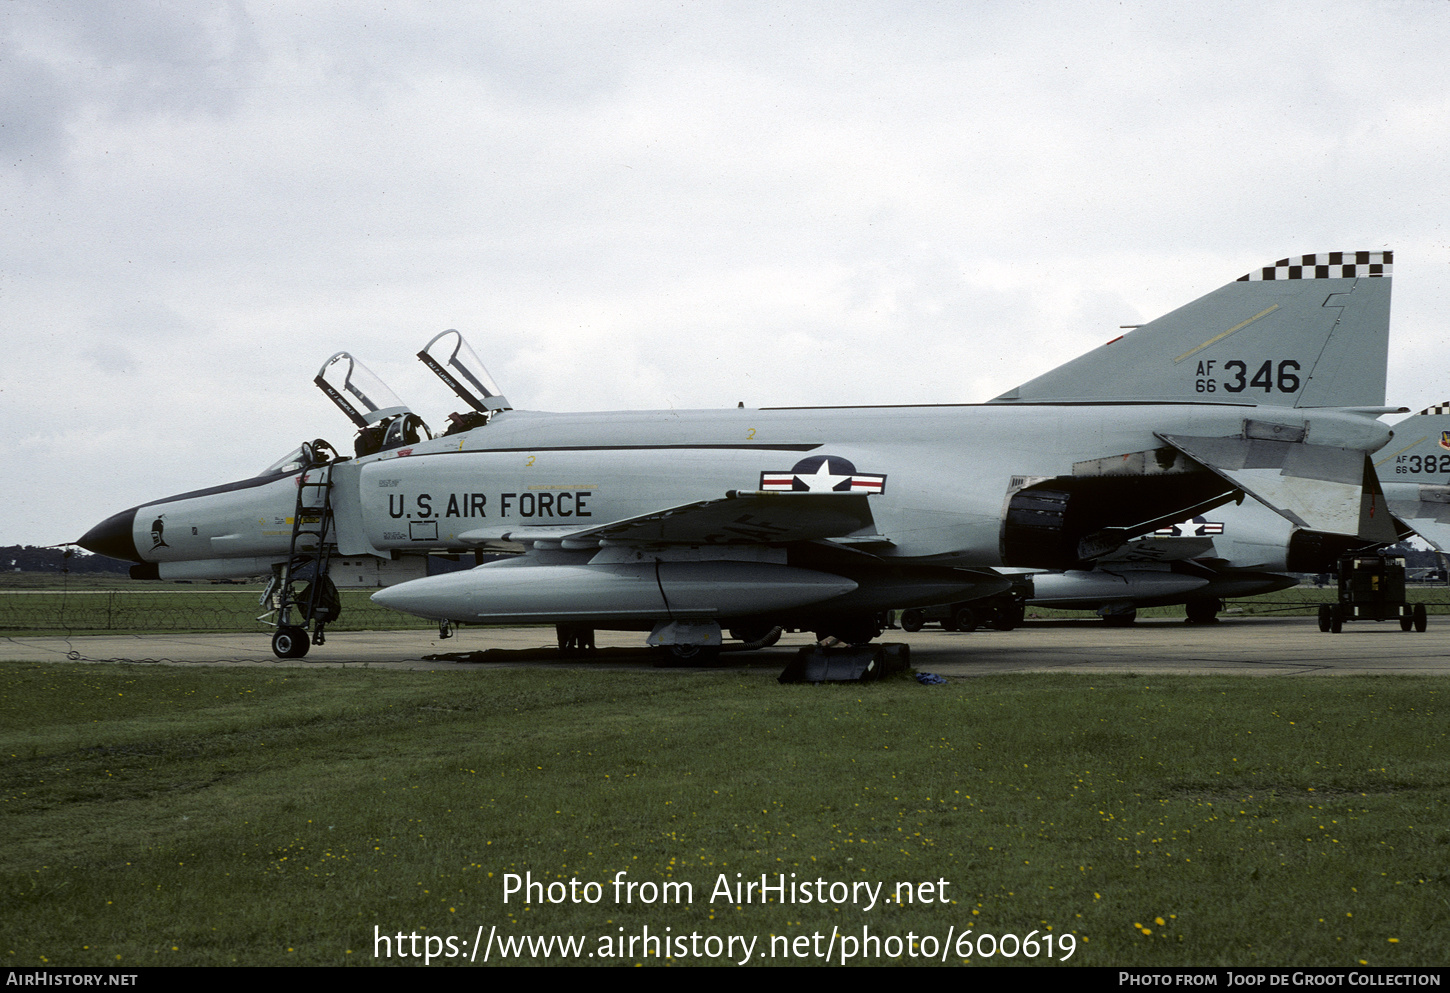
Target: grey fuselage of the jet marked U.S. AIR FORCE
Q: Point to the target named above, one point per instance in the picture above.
(939, 478)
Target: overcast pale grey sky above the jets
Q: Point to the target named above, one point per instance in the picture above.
(659, 205)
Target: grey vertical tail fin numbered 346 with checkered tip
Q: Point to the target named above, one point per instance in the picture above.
(1310, 331)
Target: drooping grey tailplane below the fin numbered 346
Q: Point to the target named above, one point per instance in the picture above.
(1320, 488)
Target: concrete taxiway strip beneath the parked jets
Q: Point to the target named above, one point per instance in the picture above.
(1238, 646)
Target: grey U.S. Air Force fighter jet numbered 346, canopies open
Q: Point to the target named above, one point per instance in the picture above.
(688, 524)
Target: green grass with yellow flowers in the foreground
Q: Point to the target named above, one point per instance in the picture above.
(211, 817)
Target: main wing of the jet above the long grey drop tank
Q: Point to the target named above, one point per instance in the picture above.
(740, 518)
